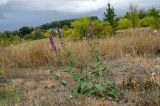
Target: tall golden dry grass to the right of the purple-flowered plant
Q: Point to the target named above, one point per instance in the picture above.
(133, 42)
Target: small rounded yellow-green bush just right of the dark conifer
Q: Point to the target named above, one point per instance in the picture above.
(124, 24)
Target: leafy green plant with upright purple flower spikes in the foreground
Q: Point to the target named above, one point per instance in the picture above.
(92, 82)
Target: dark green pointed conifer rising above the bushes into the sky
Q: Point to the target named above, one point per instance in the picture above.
(109, 15)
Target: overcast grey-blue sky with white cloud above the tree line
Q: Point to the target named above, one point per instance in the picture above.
(17, 13)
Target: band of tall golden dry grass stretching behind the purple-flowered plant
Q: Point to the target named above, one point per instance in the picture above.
(138, 42)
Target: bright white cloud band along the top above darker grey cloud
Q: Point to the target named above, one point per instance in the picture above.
(75, 6)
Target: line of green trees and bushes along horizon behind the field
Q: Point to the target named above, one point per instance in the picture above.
(74, 28)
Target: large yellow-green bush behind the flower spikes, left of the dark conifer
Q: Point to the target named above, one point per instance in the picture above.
(80, 28)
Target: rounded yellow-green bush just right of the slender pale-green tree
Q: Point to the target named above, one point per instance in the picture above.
(147, 21)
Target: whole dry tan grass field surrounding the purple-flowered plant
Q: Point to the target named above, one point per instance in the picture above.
(132, 57)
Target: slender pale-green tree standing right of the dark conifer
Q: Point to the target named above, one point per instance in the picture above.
(133, 15)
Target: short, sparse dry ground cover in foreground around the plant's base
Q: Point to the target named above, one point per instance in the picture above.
(131, 75)
